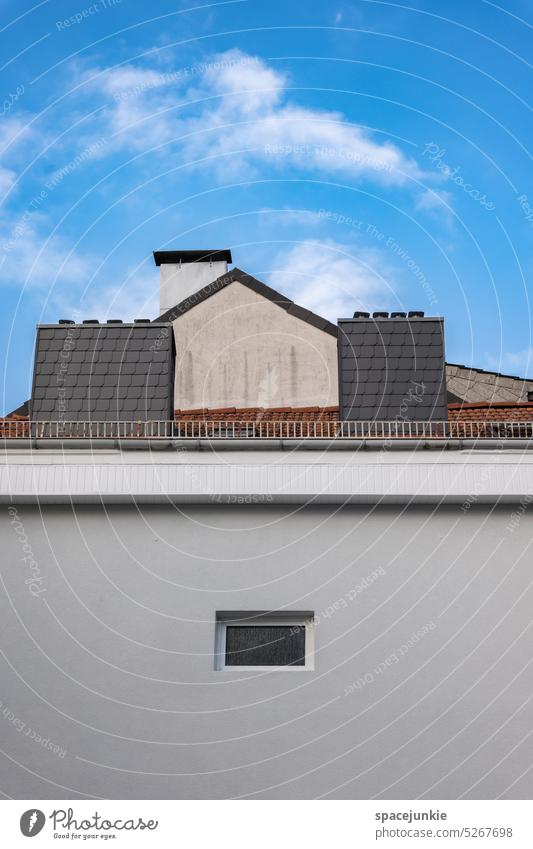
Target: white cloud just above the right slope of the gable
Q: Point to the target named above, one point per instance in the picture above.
(333, 279)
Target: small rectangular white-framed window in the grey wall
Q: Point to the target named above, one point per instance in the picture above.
(258, 640)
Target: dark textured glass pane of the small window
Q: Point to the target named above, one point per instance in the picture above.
(265, 645)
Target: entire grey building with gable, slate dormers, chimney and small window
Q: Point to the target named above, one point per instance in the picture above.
(263, 597)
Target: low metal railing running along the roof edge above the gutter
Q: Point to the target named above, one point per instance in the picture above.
(260, 429)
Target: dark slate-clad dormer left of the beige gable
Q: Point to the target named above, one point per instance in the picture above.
(103, 372)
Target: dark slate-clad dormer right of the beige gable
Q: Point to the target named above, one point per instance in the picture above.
(392, 369)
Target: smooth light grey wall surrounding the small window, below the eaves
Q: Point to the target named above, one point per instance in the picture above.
(111, 658)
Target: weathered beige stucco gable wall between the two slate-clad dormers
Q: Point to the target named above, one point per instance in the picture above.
(237, 349)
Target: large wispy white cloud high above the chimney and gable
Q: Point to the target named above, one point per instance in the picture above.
(235, 110)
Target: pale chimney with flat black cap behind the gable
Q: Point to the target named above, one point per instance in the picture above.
(183, 273)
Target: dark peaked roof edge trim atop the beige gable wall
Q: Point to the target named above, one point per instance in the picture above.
(238, 276)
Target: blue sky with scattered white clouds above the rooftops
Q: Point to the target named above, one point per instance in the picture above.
(352, 155)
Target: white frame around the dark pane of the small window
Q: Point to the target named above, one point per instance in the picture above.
(251, 618)
